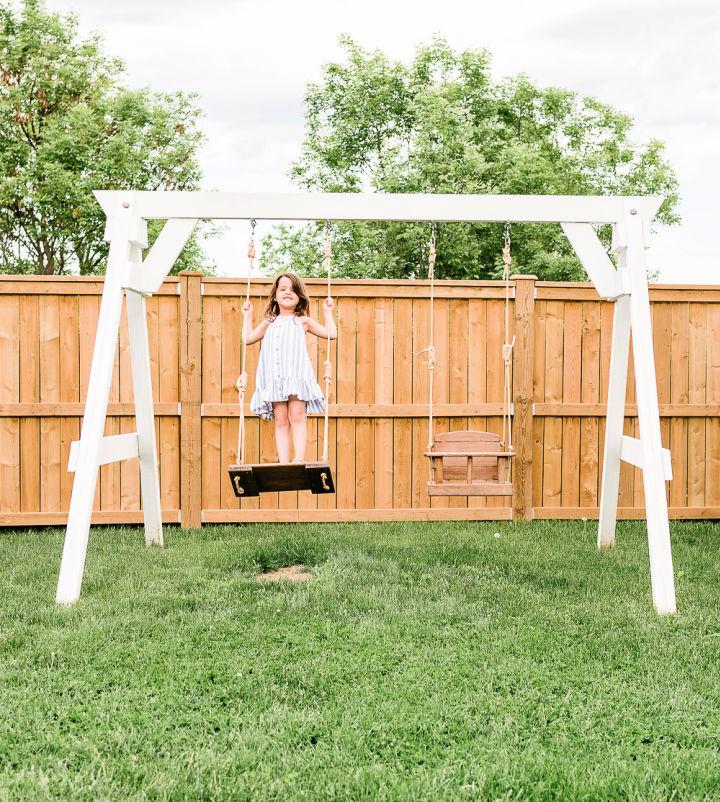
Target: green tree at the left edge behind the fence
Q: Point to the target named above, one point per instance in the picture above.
(67, 127)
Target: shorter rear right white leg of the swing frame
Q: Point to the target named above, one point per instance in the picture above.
(610, 486)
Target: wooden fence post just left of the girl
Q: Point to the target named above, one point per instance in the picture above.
(190, 397)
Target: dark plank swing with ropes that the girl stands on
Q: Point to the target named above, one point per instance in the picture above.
(253, 479)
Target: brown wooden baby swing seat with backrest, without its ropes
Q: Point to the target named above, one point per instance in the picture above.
(469, 464)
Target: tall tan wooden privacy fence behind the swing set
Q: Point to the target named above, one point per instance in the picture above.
(378, 427)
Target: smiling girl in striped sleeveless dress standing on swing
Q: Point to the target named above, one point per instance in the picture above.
(285, 386)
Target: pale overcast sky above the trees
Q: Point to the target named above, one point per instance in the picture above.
(249, 61)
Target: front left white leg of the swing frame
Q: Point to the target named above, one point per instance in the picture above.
(126, 234)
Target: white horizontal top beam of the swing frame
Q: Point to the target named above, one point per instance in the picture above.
(378, 206)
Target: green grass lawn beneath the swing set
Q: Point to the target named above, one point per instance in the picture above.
(423, 662)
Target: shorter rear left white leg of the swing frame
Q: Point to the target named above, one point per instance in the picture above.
(144, 416)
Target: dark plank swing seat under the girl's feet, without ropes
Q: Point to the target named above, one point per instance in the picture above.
(270, 477)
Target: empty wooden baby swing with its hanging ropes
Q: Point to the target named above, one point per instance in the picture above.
(470, 463)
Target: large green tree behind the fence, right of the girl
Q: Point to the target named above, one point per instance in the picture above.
(441, 124)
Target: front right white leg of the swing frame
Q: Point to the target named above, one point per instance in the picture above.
(661, 566)
